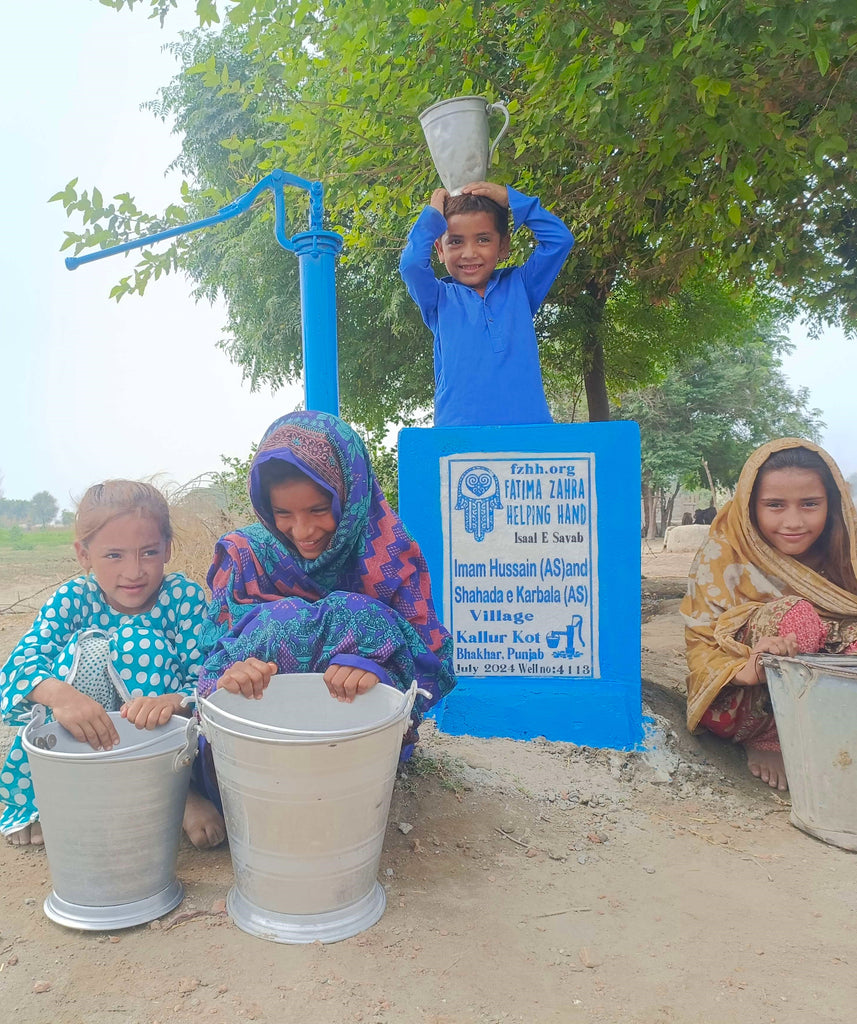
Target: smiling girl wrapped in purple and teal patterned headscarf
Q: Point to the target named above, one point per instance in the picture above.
(329, 581)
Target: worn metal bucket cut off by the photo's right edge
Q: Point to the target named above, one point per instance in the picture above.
(816, 706)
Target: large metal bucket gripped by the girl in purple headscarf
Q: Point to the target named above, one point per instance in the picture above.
(307, 784)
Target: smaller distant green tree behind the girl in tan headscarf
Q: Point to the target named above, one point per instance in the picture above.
(711, 412)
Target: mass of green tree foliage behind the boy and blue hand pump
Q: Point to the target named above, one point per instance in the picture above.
(688, 141)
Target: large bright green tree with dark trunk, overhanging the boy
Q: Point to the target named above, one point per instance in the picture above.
(675, 135)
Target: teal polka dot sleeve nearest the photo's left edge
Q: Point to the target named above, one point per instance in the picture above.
(34, 658)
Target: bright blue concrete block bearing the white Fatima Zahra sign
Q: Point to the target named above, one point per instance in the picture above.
(484, 589)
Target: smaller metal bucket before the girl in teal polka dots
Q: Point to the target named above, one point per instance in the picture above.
(112, 820)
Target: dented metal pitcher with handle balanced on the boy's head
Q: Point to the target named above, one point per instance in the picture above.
(457, 133)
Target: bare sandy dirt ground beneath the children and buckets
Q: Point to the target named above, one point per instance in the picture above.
(542, 883)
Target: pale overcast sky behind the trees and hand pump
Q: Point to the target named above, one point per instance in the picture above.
(92, 389)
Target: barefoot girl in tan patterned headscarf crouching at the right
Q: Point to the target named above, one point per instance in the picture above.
(779, 575)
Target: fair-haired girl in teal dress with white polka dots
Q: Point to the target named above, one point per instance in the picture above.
(123, 627)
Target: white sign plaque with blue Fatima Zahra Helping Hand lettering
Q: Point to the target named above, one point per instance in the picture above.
(521, 554)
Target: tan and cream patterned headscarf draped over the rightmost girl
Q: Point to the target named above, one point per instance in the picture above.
(737, 572)
